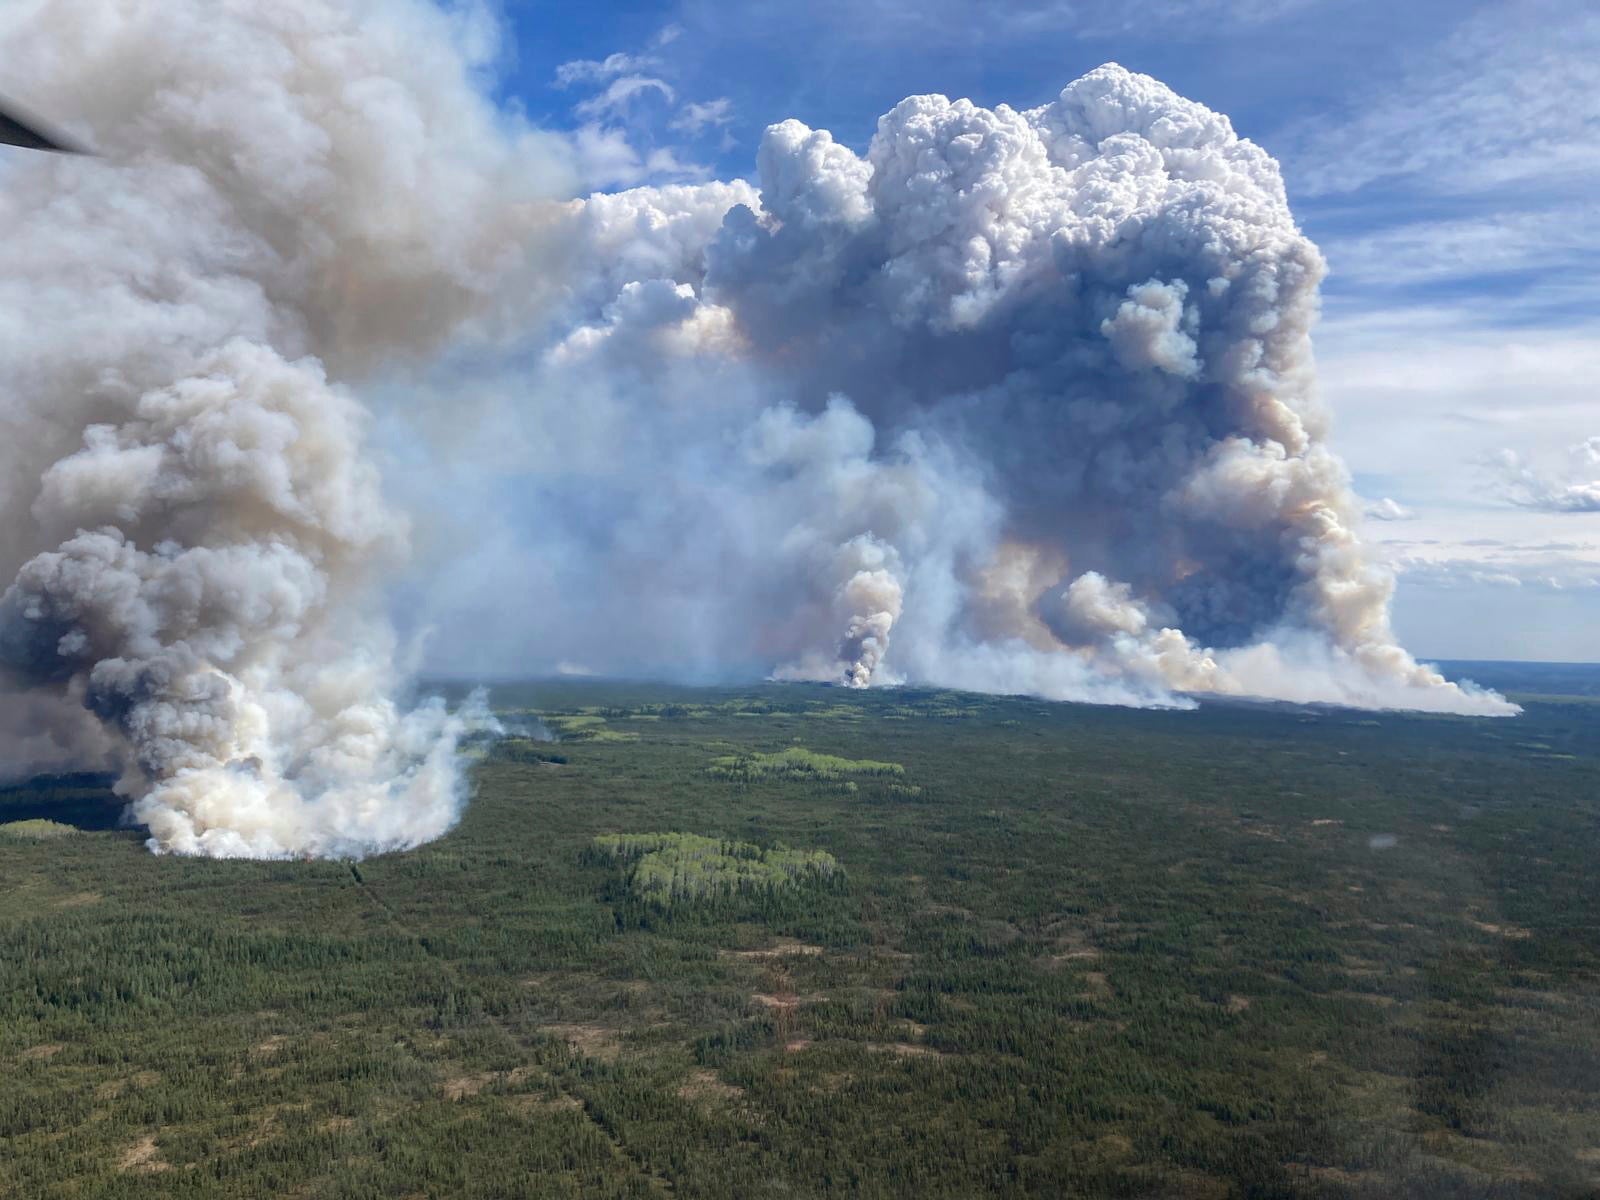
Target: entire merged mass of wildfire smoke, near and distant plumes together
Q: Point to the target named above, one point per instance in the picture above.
(1022, 402)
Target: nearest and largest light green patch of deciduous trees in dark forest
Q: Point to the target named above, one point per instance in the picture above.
(678, 868)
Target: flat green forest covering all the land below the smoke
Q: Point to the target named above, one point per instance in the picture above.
(801, 942)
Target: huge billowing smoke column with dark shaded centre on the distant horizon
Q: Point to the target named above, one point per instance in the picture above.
(1020, 401)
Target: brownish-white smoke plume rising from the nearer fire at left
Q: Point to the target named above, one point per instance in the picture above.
(289, 194)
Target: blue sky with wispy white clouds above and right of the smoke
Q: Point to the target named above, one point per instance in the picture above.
(1446, 156)
